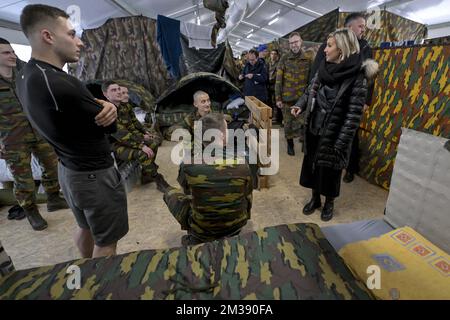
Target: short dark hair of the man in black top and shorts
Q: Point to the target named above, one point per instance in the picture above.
(34, 13)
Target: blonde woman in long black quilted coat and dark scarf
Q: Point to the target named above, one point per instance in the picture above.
(333, 103)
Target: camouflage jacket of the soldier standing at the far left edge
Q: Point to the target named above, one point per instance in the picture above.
(14, 125)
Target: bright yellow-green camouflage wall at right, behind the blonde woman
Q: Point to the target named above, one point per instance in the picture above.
(411, 91)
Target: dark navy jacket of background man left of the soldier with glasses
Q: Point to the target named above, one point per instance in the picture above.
(257, 86)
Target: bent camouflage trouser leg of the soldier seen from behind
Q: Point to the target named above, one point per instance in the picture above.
(179, 205)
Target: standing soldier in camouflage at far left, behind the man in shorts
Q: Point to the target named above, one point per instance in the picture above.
(18, 140)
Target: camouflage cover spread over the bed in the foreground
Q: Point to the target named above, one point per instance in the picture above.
(285, 262)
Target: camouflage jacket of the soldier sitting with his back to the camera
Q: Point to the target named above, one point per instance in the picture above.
(221, 198)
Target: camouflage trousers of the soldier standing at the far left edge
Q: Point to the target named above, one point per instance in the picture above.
(18, 159)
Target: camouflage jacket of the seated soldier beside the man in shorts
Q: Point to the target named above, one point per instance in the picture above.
(130, 132)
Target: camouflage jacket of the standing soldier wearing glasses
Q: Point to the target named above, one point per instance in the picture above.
(292, 76)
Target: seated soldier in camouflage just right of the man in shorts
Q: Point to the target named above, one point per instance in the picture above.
(132, 141)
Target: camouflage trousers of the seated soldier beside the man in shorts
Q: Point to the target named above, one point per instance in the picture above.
(127, 154)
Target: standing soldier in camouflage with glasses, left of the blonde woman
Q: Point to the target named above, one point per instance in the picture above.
(292, 79)
